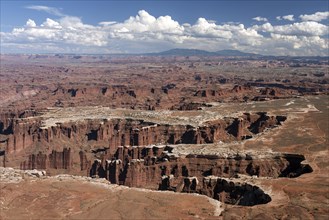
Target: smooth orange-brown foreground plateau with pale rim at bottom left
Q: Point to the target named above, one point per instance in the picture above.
(69, 197)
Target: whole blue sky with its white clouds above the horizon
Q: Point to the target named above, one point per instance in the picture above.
(280, 27)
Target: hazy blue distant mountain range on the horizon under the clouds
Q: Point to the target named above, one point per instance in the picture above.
(196, 52)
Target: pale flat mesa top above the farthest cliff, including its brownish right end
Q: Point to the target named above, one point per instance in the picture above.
(53, 116)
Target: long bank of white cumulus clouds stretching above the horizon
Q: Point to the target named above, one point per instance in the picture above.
(147, 33)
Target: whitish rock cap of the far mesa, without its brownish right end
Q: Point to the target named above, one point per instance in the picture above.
(53, 116)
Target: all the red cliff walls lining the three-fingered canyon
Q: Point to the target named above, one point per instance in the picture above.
(138, 153)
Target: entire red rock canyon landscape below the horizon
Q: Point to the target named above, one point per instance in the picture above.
(230, 146)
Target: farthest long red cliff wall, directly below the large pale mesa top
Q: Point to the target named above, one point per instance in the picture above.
(22, 134)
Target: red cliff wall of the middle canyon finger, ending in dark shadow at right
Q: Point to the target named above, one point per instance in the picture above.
(147, 167)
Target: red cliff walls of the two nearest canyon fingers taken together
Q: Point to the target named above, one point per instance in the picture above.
(157, 168)
